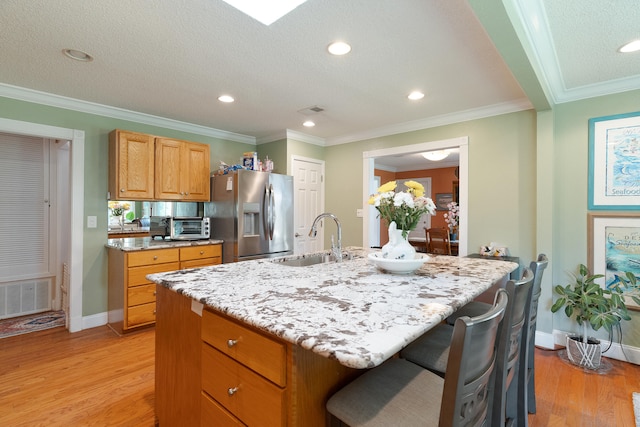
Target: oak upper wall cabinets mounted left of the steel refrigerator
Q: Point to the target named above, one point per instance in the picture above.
(146, 167)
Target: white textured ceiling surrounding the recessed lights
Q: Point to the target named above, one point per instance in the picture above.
(172, 59)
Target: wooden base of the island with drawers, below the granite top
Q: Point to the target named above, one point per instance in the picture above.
(233, 374)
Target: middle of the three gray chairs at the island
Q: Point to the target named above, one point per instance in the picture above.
(432, 351)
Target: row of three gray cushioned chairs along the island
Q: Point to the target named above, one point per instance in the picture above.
(416, 388)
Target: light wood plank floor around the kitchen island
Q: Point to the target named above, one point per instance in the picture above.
(95, 378)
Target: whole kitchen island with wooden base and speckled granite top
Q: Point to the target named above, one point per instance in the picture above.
(276, 341)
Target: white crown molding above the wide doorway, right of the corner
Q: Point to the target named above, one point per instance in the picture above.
(443, 120)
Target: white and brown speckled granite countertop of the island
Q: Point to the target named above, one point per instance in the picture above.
(347, 311)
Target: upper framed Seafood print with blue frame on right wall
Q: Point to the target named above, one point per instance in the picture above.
(614, 162)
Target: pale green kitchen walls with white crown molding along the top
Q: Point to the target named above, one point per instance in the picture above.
(527, 183)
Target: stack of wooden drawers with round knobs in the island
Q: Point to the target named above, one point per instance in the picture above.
(243, 374)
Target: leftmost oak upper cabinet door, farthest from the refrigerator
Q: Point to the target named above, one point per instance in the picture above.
(131, 166)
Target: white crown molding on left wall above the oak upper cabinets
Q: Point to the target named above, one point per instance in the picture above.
(30, 95)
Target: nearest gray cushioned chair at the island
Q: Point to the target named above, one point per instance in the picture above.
(402, 393)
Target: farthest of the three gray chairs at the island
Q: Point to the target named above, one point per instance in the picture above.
(525, 401)
